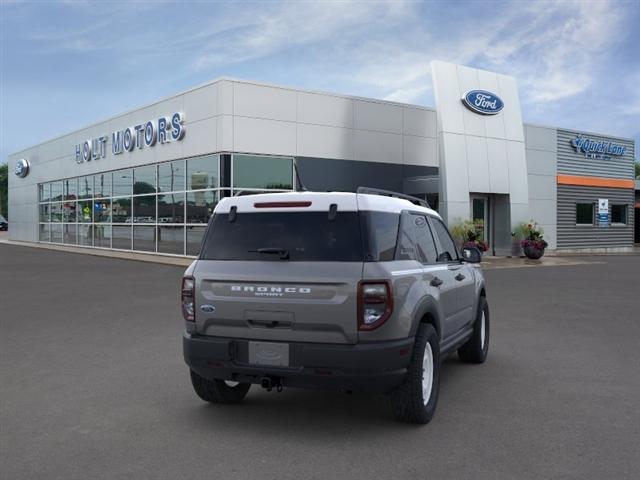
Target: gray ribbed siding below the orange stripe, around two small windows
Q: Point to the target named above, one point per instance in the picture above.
(572, 236)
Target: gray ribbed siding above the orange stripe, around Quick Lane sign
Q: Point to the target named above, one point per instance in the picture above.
(571, 162)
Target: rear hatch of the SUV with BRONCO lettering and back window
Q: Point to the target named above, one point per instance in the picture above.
(288, 271)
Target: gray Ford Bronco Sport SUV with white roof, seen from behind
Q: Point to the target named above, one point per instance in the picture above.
(350, 291)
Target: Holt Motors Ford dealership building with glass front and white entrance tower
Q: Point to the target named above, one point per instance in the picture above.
(148, 180)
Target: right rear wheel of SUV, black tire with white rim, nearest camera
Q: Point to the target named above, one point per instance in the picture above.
(415, 400)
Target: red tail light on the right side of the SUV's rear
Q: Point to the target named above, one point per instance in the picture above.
(375, 304)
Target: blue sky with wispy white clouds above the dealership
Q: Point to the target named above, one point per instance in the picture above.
(67, 64)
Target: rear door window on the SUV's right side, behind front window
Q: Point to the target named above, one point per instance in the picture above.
(416, 241)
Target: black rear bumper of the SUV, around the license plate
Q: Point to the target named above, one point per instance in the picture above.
(366, 367)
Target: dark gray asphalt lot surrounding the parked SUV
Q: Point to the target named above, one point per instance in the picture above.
(93, 386)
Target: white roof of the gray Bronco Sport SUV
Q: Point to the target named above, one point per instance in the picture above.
(319, 201)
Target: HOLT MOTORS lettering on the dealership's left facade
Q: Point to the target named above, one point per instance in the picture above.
(148, 134)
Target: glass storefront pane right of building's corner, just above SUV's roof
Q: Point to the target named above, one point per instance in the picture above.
(260, 172)
